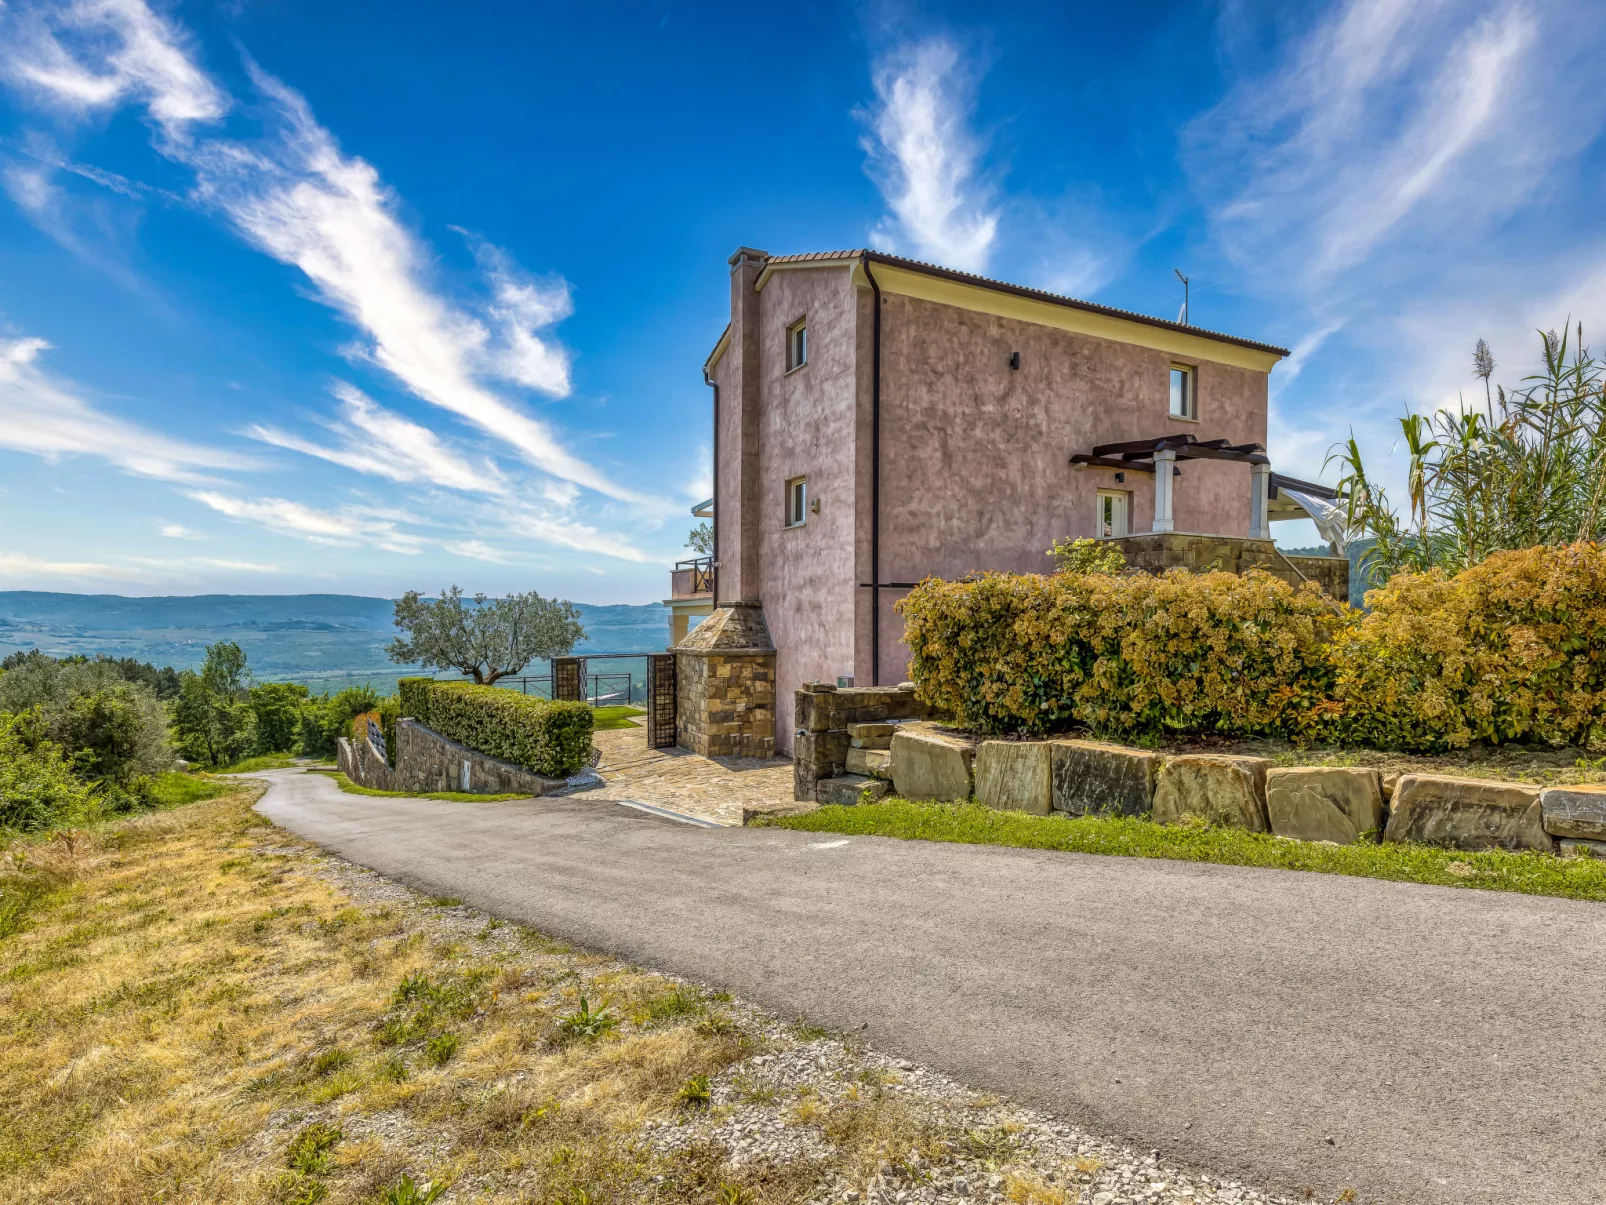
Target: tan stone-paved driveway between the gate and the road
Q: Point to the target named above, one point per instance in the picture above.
(722, 790)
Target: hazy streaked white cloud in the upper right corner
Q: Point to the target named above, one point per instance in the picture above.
(1387, 121)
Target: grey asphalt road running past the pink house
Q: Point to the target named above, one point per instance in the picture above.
(1451, 1044)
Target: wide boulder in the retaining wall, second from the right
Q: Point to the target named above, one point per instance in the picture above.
(1467, 814)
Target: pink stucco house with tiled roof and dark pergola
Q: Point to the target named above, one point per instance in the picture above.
(879, 422)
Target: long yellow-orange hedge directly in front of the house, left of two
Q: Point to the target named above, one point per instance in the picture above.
(1125, 655)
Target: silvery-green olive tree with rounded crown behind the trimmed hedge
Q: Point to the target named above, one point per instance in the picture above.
(484, 639)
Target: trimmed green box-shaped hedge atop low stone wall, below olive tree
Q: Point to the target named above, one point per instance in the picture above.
(550, 738)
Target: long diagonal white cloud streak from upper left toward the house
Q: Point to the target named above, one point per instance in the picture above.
(300, 198)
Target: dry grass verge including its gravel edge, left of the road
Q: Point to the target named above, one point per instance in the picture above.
(197, 1007)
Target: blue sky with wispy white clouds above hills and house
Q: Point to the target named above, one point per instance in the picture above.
(369, 298)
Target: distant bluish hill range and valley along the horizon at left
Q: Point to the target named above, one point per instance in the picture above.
(322, 640)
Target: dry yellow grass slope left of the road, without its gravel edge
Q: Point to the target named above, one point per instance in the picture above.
(190, 1013)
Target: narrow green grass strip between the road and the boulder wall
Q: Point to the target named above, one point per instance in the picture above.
(974, 825)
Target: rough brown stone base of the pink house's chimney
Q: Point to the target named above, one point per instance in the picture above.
(725, 685)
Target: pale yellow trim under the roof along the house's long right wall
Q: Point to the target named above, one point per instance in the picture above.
(982, 300)
